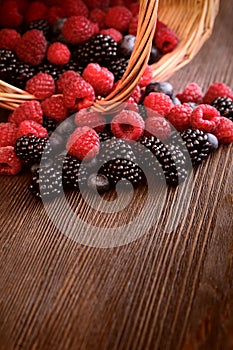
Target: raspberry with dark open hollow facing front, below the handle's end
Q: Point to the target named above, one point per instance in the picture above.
(128, 125)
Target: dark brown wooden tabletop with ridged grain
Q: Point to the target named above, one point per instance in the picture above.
(162, 291)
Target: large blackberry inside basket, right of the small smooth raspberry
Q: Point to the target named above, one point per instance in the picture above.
(99, 49)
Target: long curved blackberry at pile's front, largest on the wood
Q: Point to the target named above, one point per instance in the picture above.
(171, 159)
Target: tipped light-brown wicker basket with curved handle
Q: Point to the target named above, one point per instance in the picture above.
(193, 22)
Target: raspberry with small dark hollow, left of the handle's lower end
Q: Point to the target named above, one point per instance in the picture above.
(78, 93)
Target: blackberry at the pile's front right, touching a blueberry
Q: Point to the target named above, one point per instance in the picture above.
(197, 144)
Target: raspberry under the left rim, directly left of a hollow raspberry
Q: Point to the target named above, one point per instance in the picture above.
(54, 108)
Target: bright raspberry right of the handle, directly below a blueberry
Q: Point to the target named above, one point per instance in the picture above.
(159, 103)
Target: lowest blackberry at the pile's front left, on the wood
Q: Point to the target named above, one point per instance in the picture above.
(46, 182)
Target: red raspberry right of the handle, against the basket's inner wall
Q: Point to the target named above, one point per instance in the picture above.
(165, 40)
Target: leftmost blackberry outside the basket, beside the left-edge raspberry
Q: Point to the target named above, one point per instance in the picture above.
(31, 148)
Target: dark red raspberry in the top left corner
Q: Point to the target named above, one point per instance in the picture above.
(9, 14)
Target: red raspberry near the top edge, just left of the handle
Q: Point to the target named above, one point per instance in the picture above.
(118, 17)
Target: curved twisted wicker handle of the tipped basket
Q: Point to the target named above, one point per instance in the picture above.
(138, 61)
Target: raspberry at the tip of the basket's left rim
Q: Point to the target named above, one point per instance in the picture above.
(41, 85)
